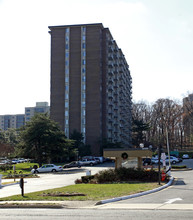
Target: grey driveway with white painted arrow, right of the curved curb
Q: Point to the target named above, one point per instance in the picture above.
(178, 196)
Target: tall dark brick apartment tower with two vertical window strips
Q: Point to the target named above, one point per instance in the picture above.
(90, 84)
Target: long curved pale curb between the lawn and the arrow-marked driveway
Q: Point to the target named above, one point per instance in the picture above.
(136, 195)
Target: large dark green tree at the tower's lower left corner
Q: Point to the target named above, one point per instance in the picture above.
(42, 139)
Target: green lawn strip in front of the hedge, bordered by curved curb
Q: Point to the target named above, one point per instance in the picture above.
(94, 192)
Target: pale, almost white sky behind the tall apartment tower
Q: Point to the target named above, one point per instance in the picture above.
(156, 37)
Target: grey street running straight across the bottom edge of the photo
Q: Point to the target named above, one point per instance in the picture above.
(85, 214)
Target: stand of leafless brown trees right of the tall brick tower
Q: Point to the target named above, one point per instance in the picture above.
(164, 118)
